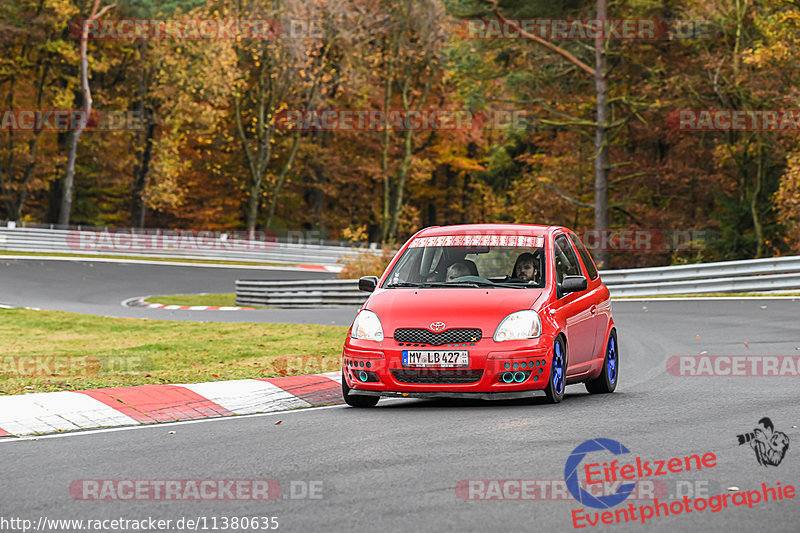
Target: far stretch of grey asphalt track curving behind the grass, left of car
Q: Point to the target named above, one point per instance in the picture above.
(98, 288)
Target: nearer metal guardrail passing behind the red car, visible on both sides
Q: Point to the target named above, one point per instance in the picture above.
(755, 275)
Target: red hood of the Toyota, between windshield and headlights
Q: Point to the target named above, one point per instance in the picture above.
(457, 308)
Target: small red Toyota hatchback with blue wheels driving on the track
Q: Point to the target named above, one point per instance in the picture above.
(489, 311)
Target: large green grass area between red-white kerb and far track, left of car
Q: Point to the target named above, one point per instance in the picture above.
(70, 351)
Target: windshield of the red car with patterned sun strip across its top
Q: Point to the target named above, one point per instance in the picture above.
(443, 262)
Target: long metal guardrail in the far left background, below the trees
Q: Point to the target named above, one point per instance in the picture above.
(168, 244)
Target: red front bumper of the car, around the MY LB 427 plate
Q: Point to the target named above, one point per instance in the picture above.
(376, 369)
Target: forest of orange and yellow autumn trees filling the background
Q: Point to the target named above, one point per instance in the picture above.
(595, 148)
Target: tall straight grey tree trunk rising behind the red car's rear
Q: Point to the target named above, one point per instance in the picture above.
(600, 139)
